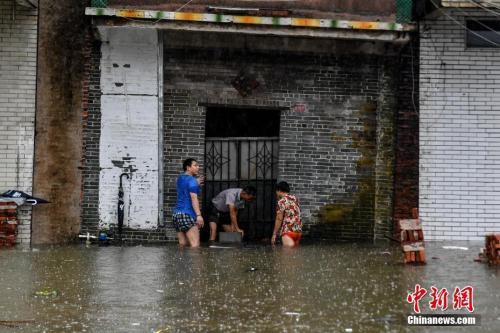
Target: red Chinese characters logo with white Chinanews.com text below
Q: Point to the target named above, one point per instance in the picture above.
(438, 300)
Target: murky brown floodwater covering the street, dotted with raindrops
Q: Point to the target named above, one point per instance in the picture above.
(315, 288)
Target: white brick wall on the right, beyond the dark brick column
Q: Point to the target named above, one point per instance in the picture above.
(459, 132)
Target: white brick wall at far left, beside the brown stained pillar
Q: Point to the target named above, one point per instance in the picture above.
(18, 29)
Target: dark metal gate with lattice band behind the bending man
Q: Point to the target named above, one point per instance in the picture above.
(238, 162)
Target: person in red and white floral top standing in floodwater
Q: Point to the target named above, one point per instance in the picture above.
(288, 224)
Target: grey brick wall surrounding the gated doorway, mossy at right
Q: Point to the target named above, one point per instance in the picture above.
(328, 152)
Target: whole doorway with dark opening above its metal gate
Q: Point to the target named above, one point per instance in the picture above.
(241, 149)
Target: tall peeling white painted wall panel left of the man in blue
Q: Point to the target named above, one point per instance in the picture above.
(129, 126)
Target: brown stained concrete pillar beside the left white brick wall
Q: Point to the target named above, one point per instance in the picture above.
(62, 30)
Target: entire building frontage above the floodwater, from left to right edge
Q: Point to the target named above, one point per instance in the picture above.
(365, 119)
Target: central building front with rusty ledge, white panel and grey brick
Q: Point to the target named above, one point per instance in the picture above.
(257, 95)
